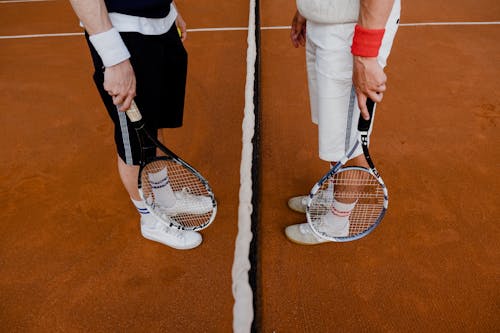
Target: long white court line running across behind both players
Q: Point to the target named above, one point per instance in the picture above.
(283, 27)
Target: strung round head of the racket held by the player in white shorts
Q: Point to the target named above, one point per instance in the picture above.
(348, 187)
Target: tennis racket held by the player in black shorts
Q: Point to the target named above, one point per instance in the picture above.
(172, 190)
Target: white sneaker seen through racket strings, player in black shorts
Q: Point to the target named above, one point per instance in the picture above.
(187, 203)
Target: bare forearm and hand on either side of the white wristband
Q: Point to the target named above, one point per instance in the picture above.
(119, 79)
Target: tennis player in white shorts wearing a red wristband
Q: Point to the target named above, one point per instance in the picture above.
(347, 44)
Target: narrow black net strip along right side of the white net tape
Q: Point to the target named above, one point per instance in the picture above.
(254, 255)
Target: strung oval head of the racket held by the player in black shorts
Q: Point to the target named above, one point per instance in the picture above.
(184, 200)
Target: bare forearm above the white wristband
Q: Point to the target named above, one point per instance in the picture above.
(93, 14)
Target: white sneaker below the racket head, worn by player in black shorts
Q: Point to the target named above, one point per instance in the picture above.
(178, 239)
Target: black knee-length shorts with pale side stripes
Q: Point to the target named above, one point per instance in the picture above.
(160, 66)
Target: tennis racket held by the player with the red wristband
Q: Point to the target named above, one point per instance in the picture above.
(348, 202)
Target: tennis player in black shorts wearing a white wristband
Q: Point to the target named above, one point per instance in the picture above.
(137, 50)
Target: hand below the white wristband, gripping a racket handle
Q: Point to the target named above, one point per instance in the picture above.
(119, 82)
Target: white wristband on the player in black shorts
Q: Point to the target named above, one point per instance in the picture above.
(110, 47)
